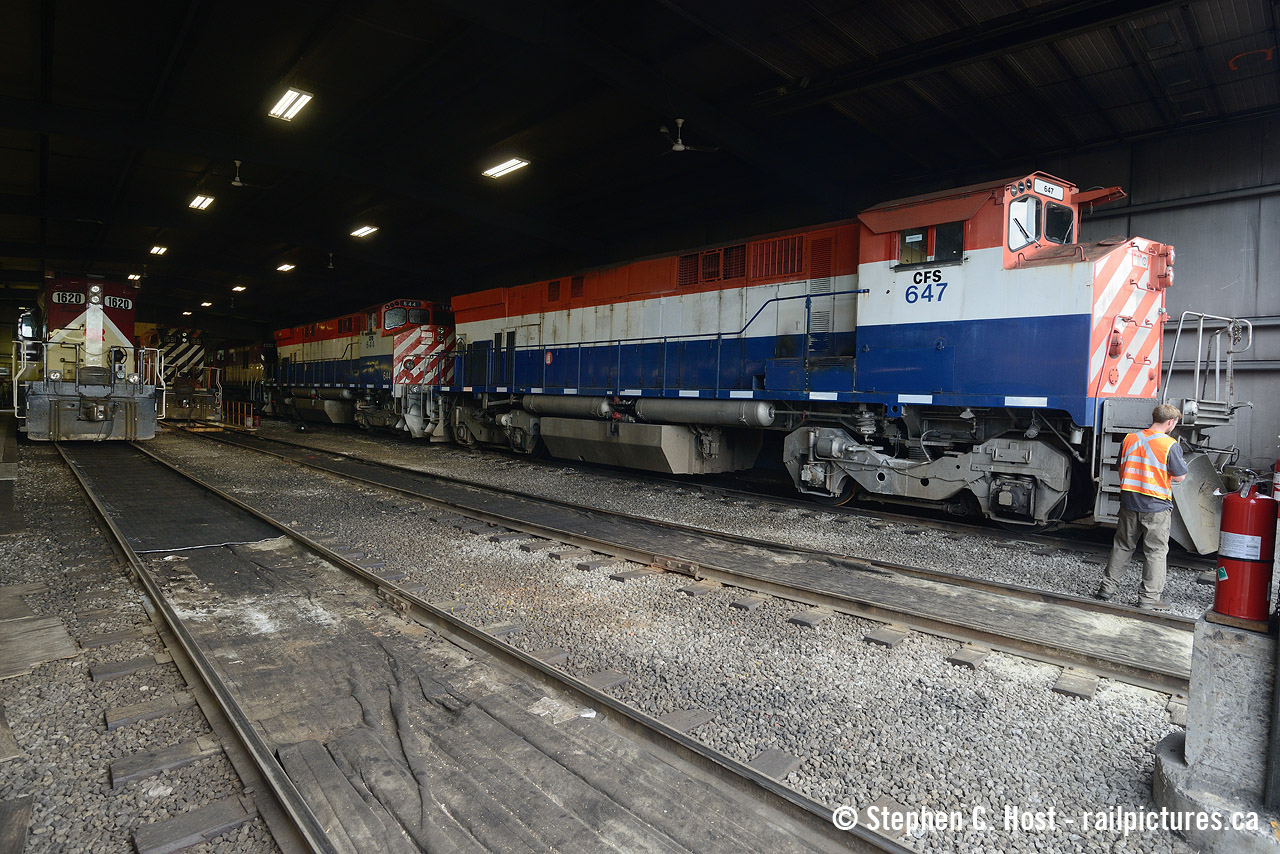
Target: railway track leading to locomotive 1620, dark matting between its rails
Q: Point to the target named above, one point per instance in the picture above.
(202, 552)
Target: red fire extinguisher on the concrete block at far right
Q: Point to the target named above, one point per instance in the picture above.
(1246, 550)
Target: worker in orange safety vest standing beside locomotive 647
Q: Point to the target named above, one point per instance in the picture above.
(1151, 463)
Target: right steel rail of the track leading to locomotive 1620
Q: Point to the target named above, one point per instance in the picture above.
(811, 815)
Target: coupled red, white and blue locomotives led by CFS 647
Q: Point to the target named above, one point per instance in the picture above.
(961, 350)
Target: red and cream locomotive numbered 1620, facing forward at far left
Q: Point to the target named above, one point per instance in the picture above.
(77, 371)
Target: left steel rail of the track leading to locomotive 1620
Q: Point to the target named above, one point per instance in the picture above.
(309, 828)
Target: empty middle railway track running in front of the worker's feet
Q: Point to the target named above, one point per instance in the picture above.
(1142, 649)
